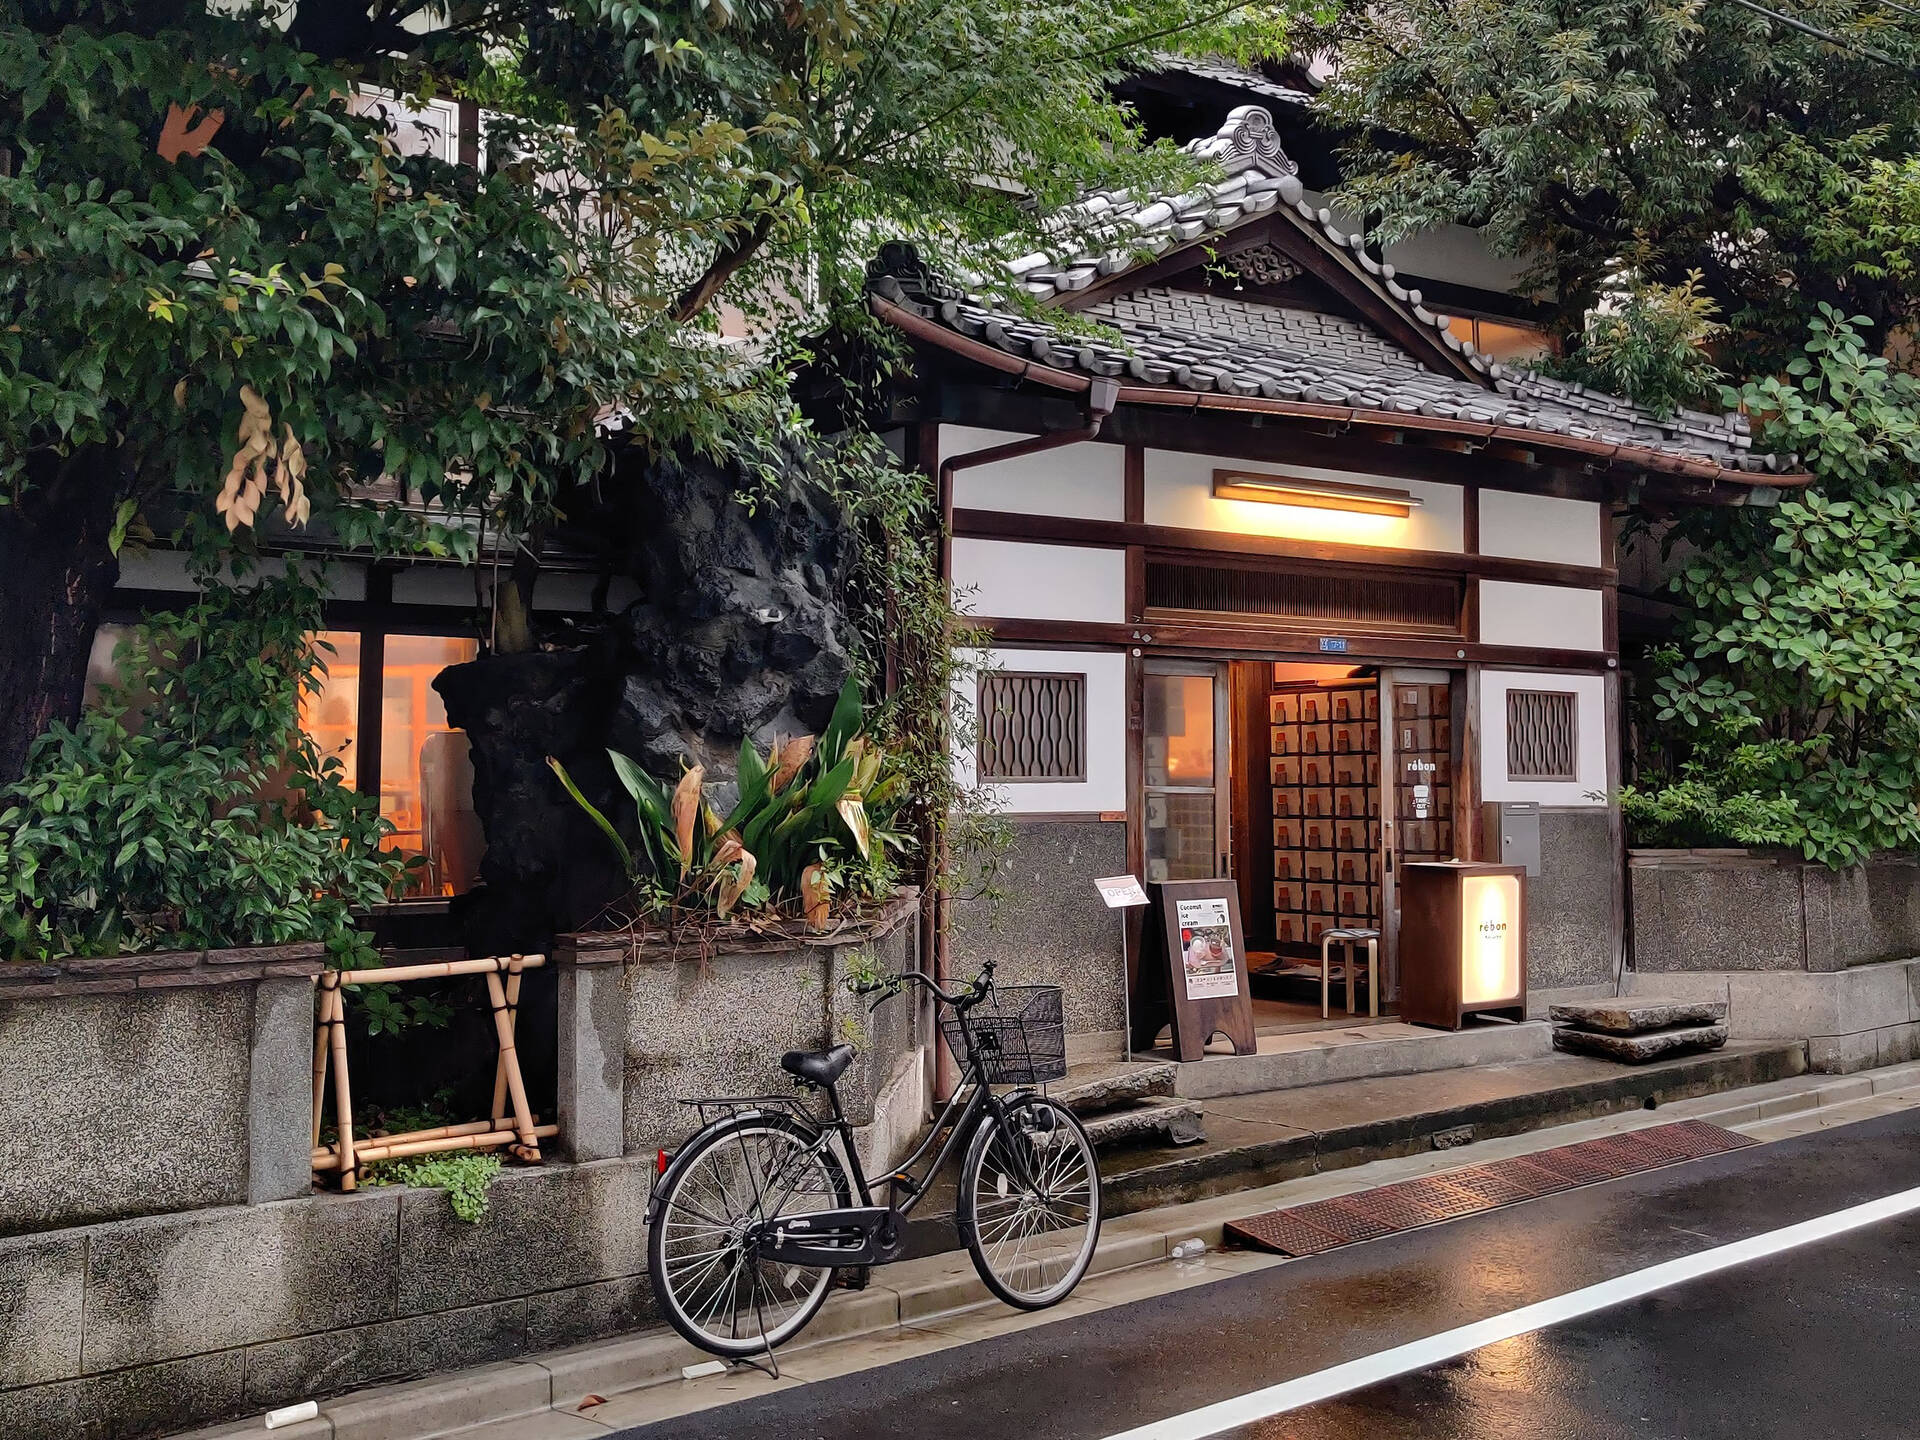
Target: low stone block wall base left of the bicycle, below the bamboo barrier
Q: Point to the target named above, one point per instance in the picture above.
(162, 1324)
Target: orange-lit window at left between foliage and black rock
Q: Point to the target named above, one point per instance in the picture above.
(420, 765)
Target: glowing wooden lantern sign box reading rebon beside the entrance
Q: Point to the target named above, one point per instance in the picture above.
(1462, 942)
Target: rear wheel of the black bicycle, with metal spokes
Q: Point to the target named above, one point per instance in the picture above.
(708, 1278)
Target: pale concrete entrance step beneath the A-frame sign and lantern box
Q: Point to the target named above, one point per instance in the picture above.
(1360, 1051)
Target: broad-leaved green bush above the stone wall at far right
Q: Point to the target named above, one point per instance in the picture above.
(1792, 700)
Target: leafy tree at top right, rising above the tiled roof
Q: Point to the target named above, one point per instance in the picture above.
(1677, 135)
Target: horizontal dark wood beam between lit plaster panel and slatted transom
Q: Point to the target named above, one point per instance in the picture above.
(1118, 535)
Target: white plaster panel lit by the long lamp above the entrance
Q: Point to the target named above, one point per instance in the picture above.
(1180, 492)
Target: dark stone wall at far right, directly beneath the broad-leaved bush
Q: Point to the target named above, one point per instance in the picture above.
(1735, 911)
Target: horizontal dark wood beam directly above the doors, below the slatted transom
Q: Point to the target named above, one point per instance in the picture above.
(1287, 644)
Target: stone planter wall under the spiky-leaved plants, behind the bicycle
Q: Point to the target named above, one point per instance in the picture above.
(650, 1024)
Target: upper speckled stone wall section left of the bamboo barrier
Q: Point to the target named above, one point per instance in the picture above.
(149, 1084)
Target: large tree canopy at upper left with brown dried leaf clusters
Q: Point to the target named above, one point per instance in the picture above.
(229, 291)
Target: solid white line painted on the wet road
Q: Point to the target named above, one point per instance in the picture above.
(1451, 1345)
